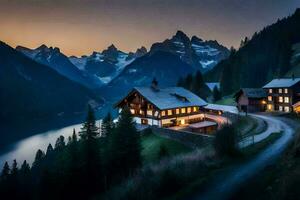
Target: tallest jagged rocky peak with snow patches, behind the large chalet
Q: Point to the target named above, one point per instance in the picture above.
(202, 55)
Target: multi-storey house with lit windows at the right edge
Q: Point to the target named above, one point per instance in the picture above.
(282, 94)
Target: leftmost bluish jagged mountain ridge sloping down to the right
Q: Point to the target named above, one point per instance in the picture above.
(53, 58)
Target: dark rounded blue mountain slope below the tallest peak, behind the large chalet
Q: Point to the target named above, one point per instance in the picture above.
(164, 66)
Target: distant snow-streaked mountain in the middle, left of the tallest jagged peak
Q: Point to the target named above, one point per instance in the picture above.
(106, 64)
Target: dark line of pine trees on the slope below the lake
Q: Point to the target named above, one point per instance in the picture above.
(87, 163)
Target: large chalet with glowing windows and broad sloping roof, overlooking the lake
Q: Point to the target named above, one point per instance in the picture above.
(163, 107)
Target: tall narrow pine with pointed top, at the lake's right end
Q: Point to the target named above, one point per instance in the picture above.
(89, 129)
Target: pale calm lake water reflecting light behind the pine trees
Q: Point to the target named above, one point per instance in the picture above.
(26, 148)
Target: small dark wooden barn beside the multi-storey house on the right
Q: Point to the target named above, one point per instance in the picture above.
(251, 99)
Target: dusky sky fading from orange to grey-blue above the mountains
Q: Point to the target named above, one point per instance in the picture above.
(80, 27)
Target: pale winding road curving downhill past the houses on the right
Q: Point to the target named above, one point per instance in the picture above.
(225, 184)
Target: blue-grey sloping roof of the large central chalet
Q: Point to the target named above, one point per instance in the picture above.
(171, 97)
